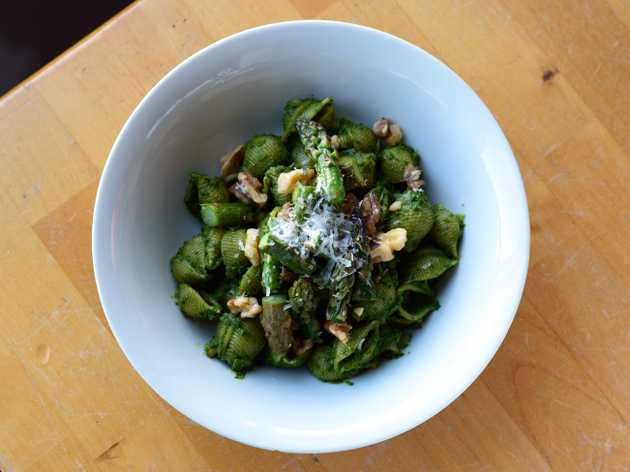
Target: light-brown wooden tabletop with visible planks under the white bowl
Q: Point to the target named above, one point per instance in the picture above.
(557, 395)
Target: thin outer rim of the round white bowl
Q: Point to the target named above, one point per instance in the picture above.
(371, 437)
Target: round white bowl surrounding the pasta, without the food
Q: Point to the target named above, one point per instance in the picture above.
(217, 99)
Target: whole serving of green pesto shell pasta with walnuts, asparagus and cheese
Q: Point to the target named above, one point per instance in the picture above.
(319, 249)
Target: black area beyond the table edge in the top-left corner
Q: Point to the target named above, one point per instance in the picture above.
(33, 32)
